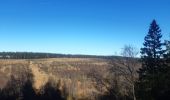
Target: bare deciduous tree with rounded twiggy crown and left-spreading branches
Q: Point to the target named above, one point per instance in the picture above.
(127, 66)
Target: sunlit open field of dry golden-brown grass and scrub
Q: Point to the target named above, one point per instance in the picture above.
(71, 73)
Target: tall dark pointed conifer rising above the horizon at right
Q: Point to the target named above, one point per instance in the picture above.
(152, 64)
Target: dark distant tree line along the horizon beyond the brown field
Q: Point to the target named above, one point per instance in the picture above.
(34, 55)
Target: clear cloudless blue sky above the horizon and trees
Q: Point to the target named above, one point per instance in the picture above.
(97, 27)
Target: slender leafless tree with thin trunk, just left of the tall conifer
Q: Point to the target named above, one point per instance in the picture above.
(129, 66)
